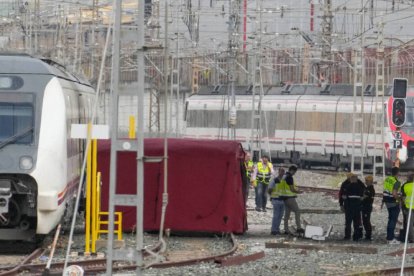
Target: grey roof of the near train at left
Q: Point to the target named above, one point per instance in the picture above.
(26, 64)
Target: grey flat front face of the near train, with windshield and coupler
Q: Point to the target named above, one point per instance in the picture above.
(18, 190)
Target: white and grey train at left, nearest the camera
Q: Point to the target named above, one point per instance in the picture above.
(40, 164)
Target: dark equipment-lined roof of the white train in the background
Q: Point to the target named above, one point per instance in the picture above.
(293, 89)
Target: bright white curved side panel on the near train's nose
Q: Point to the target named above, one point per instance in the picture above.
(52, 165)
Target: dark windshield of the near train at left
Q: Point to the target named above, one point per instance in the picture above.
(16, 119)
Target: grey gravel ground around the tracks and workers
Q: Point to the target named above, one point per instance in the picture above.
(282, 261)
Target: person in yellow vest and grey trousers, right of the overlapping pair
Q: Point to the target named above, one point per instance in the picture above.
(289, 194)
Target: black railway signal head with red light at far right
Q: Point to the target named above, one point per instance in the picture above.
(399, 94)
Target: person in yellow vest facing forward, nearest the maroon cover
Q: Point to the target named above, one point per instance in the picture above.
(263, 172)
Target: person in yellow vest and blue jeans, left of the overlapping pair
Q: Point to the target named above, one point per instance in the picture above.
(275, 193)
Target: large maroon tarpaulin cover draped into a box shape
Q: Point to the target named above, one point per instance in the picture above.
(205, 185)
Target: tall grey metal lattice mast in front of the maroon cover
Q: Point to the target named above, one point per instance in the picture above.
(120, 36)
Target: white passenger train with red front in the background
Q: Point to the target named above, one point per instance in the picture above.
(303, 124)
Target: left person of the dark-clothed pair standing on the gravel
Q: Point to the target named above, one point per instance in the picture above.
(353, 205)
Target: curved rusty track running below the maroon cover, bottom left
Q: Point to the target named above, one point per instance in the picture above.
(99, 265)
